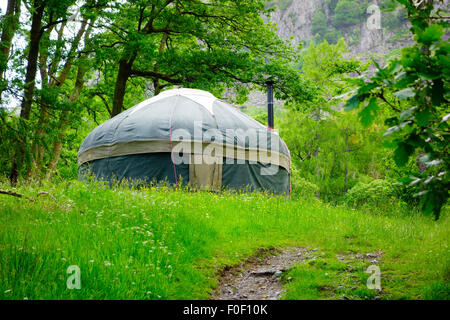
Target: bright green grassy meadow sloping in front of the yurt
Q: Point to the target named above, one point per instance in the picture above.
(168, 244)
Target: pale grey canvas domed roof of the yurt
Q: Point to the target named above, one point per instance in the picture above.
(179, 115)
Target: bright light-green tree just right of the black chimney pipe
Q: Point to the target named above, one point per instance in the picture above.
(318, 135)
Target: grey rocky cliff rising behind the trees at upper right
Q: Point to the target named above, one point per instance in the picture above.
(301, 20)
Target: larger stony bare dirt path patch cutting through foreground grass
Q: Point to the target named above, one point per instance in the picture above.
(258, 278)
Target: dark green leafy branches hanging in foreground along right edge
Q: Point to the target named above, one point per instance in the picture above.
(416, 89)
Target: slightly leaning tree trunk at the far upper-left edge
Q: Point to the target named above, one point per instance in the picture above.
(10, 23)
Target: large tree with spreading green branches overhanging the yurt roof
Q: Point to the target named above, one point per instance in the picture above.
(213, 46)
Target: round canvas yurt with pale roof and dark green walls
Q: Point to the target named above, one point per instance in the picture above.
(187, 136)
